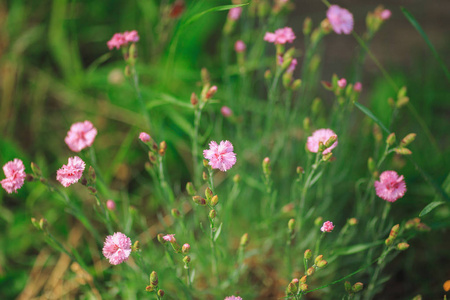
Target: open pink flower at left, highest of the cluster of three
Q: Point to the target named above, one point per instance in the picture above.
(80, 136)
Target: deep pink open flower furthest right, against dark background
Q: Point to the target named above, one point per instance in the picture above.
(391, 187)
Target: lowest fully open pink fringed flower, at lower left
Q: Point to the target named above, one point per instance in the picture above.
(117, 248)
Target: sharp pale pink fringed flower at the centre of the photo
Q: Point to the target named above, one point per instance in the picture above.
(220, 156)
